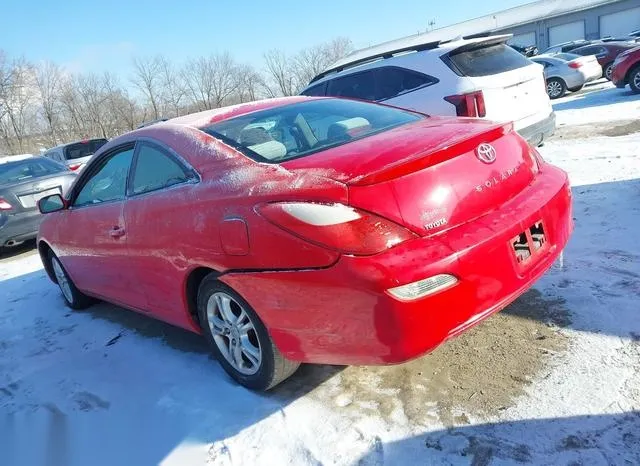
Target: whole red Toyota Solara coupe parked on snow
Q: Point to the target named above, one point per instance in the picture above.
(313, 230)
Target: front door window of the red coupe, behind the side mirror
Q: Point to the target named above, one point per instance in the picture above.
(109, 182)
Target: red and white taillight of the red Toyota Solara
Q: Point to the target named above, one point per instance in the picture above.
(336, 226)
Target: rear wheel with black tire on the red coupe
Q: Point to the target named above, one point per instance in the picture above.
(238, 338)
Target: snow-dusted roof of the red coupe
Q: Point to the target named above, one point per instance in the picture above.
(207, 117)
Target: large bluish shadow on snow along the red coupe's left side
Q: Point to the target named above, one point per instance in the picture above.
(110, 386)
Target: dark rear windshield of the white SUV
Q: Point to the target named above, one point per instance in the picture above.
(486, 60)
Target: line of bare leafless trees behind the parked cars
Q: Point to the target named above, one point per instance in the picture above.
(43, 104)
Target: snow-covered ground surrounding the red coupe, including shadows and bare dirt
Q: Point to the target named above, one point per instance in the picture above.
(107, 386)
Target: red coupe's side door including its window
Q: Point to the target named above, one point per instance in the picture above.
(91, 239)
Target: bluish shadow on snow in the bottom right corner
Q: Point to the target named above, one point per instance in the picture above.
(606, 438)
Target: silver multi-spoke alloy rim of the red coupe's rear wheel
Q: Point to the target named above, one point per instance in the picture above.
(234, 333)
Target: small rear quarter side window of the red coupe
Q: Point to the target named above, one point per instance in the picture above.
(156, 170)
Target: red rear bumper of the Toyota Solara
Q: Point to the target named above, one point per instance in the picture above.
(343, 314)
